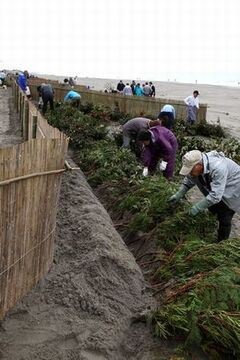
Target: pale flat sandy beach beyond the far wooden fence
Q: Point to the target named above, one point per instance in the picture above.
(223, 101)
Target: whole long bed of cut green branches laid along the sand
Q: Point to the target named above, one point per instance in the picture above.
(195, 279)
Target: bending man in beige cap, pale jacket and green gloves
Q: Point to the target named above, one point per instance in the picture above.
(218, 178)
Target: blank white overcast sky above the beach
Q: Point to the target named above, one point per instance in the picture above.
(150, 39)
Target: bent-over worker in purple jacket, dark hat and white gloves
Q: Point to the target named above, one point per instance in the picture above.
(158, 142)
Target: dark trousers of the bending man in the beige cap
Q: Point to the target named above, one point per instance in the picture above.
(224, 216)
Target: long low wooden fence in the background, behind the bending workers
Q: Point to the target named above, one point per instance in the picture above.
(134, 105)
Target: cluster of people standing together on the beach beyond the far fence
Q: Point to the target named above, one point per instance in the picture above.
(146, 89)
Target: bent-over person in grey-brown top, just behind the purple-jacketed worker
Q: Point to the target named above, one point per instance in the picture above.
(132, 127)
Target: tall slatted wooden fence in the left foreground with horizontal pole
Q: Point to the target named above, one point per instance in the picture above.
(30, 177)
